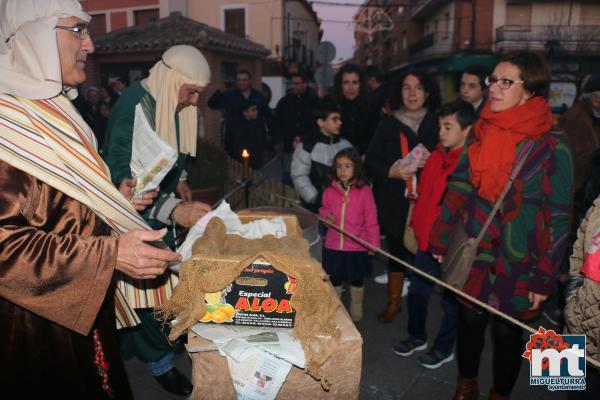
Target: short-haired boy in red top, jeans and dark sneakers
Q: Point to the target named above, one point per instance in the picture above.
(456, 119)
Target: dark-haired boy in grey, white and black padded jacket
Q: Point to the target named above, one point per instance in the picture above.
(312, 158)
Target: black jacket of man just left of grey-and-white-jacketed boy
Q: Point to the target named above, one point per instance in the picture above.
(294, 117)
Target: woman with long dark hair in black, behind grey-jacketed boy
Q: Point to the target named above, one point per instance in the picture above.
(351, 95)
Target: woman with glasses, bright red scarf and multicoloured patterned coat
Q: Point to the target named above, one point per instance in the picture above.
(516, 263)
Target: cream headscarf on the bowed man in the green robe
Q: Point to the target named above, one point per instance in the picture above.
(179, 65)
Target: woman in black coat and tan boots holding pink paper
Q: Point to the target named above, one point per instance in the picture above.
(414, 101)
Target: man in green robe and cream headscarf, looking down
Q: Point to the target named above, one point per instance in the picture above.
(169, 98)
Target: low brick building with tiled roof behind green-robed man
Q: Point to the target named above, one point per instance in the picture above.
(132, 51)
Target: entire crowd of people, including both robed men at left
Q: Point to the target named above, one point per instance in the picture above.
(78, 250)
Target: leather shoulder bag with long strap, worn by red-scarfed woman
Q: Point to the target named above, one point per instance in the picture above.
(462, 248)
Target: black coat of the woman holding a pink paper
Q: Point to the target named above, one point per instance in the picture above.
(384, 150)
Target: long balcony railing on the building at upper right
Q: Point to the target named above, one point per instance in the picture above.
(562, 38)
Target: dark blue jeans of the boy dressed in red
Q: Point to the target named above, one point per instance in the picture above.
(418, 299)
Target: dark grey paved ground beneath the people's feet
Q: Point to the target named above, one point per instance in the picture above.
(385, 376)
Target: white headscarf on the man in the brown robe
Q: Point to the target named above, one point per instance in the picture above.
(29, 60)
